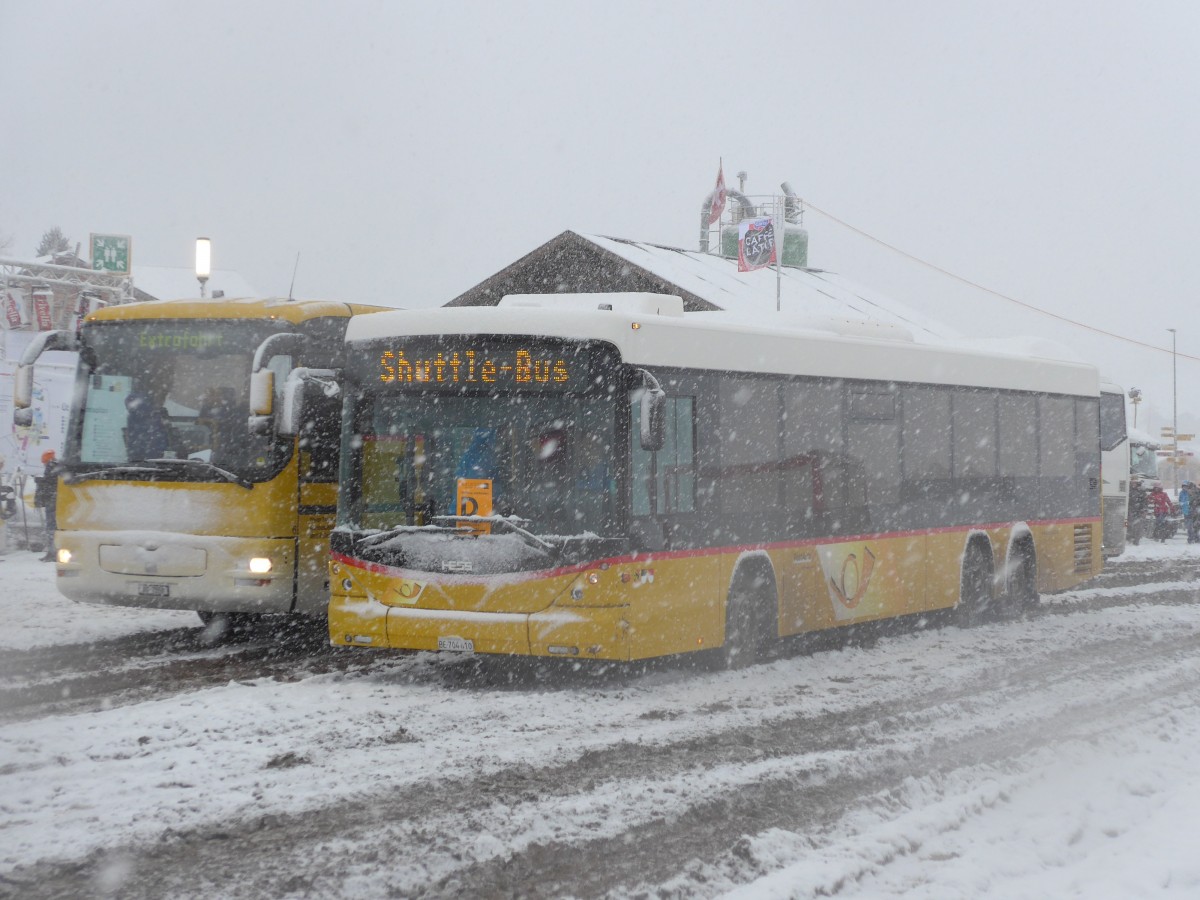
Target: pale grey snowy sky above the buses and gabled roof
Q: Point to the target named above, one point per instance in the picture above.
(410, 151)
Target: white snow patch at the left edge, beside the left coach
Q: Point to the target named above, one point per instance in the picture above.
(34, 614)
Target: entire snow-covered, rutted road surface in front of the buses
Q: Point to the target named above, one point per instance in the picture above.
(1054, 755)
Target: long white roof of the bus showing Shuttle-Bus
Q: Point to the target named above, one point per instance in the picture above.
(722, 341)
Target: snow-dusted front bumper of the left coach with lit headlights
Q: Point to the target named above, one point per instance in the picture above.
(175, 572)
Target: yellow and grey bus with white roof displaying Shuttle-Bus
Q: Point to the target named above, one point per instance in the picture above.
(608, 477)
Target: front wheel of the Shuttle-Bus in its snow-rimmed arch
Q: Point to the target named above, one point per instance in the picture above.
(752, 611)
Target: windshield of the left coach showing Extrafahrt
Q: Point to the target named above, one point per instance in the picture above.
(172, 391)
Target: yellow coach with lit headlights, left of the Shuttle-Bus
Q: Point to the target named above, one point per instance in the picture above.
(175, 493)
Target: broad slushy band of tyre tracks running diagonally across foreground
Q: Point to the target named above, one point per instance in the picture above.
(793, 771)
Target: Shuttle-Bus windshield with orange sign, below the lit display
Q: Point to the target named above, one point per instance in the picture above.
(549, 459)
